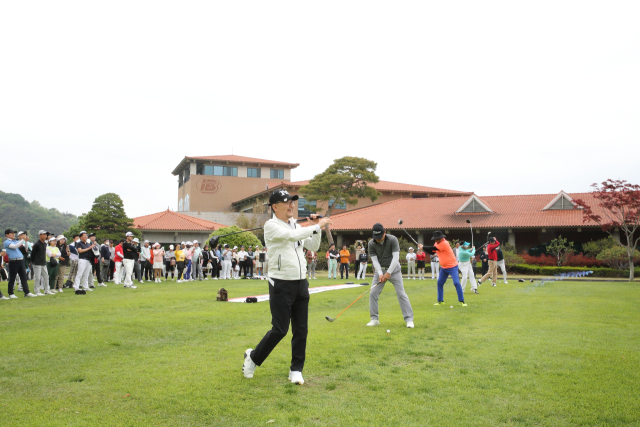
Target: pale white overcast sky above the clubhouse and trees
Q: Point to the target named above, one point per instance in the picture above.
(494, 97)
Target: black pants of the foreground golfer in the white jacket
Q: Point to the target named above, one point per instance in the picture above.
(289, 302)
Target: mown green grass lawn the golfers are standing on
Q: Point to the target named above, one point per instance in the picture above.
(563, 354)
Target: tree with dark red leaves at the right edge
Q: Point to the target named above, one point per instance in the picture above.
(619, 204)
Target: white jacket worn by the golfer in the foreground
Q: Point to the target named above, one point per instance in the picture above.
(286, 241)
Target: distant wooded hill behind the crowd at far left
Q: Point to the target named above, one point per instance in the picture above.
(19, 214)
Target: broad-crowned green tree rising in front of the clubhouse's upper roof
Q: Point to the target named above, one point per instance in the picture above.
(345, 181)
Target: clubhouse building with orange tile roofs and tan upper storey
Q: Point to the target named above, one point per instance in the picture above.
(215, 190)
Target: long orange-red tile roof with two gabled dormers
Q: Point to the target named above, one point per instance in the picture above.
(439, 213)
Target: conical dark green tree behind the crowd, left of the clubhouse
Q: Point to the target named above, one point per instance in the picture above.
(106, 218)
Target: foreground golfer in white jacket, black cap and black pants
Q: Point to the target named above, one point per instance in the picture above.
(288, 285)
